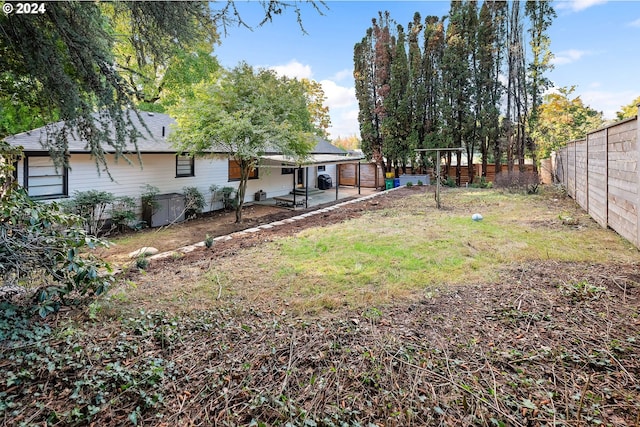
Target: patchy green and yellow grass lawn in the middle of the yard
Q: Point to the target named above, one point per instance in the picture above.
(405, 251)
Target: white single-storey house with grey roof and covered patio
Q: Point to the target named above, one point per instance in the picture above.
(163, 167)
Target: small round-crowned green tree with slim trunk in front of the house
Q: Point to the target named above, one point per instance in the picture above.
(246, 113)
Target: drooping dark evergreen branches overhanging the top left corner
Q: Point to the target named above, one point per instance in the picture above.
(63, 62)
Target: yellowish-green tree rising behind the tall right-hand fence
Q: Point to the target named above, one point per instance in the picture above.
(562, 119)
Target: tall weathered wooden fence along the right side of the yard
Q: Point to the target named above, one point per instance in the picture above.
(601, 173)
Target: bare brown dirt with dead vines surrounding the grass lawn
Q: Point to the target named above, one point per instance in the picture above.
(548, 343)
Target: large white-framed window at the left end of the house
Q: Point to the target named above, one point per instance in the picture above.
(42, 180)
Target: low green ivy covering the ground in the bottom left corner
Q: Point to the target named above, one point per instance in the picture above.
(94, 376)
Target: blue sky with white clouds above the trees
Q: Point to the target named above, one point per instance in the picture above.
(596, 46)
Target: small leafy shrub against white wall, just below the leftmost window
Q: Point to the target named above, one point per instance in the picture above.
(91, 206)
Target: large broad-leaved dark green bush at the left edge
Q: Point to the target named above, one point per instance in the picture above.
(44, 248)
